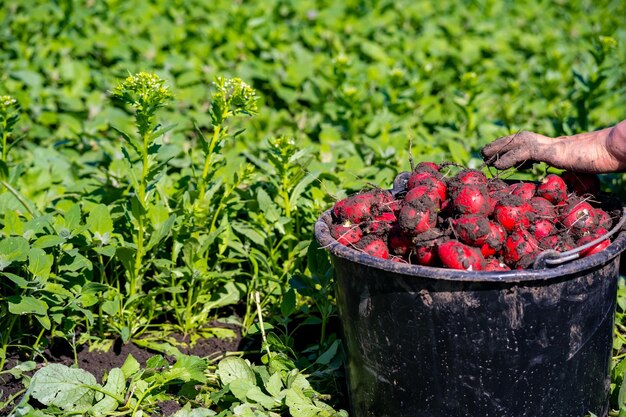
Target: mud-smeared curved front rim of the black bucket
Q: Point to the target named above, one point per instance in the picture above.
(326, 241)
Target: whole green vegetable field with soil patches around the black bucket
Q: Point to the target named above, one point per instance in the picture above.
(163, 164)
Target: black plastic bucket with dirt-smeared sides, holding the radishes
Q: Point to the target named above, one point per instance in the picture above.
(434, 342)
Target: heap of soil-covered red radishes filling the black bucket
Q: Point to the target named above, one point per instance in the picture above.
(467, 221)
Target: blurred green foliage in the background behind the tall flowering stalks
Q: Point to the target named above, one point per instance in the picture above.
(354, 78)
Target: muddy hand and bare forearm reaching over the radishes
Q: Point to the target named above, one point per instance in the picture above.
(593, 152)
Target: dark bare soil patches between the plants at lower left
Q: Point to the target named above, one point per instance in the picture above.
(99, 362)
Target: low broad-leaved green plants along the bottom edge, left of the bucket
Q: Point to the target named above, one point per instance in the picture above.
(234, 386)
